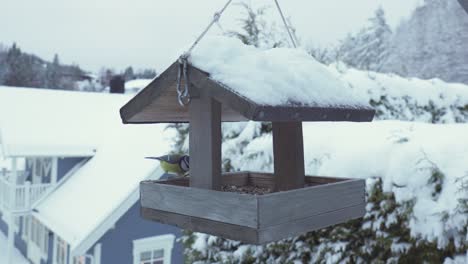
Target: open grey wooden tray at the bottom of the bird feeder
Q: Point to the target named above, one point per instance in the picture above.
(255, 219)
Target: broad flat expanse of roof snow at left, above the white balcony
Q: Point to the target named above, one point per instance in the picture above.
(38, 122)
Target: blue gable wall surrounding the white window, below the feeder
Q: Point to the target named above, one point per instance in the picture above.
(117, 243)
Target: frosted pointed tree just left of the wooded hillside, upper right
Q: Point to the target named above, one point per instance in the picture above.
(368, 49)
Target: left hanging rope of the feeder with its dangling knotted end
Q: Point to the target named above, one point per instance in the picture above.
(183, 92)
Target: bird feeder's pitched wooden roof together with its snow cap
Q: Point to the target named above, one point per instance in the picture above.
(278, 84)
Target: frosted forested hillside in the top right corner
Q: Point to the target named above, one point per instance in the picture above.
(432, 43)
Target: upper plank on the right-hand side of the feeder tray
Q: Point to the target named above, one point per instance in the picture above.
(285, 207)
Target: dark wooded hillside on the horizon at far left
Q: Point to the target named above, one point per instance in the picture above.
(22, 69)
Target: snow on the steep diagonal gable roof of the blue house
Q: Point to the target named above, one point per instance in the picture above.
(98, 188)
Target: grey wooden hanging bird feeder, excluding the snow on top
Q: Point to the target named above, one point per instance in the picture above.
(297, 203)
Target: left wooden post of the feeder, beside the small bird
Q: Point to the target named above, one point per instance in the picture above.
(205, 143)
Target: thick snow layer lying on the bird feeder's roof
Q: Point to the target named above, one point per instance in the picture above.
(287, 76)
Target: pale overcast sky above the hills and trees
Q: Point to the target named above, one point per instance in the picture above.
(152, 33)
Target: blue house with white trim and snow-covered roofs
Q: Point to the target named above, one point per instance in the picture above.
(58, 151)
